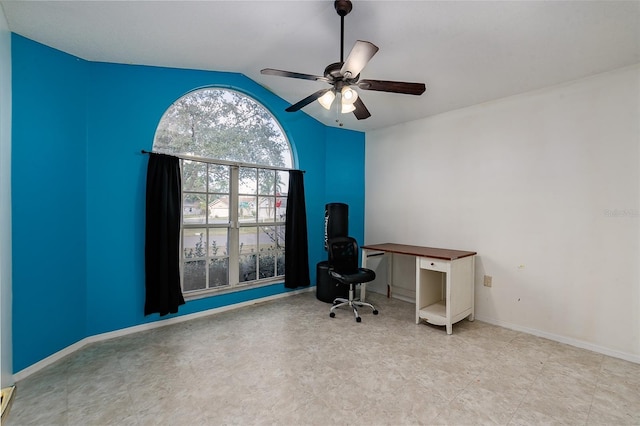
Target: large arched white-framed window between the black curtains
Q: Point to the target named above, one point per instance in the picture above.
(234, 162)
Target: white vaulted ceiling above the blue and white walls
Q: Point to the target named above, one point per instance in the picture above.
(467, 52)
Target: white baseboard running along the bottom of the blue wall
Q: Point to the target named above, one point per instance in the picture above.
(22, 374)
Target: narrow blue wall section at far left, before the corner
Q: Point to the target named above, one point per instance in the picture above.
(48, 172)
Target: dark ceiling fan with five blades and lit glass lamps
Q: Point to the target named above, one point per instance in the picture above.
(345, 74)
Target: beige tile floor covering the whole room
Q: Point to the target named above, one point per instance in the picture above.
(285, 362)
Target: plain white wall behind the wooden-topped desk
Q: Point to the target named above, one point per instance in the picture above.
(545, 187)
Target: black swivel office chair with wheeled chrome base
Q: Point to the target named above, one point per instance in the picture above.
(343, 267)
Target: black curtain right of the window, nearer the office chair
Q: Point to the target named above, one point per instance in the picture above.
(296, 251)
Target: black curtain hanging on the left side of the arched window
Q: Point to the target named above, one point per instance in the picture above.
(162, 236)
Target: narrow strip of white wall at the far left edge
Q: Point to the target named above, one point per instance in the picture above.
(6, 373)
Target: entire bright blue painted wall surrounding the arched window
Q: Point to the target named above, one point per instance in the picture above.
(78, 182)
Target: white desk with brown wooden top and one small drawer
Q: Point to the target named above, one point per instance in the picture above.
(444, 281)
